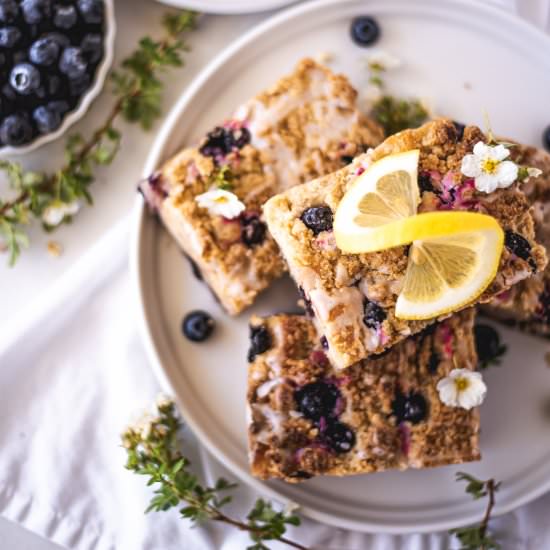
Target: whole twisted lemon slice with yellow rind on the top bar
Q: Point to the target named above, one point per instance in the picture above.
(454, 255)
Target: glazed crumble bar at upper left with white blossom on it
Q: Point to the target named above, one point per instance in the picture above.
(210, 197)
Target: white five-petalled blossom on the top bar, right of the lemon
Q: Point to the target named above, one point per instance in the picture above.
(488, 167)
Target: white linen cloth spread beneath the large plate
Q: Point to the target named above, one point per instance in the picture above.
(66, 397)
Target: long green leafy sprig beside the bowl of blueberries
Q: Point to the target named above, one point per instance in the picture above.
(137, 91)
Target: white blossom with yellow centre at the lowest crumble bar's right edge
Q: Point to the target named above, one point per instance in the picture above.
(462, 388)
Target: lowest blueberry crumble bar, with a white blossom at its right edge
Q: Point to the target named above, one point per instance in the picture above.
(307, 418)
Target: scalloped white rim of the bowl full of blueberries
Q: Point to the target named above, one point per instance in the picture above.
(87, 99)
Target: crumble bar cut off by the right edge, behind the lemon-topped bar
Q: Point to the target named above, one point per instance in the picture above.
(527, 304)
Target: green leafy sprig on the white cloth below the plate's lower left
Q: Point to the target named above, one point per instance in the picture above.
(153, 450)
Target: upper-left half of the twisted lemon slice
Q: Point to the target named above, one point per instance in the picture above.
(386, 192)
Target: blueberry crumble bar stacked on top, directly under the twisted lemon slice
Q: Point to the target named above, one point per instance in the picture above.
(352, 297)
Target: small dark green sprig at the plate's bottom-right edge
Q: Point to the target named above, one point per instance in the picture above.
(477, 537)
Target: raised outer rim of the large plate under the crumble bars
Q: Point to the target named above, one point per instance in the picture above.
(138, 217)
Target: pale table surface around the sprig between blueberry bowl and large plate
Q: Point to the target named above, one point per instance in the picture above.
(114, 191)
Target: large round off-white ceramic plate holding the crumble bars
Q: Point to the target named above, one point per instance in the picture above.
(467, 58)
